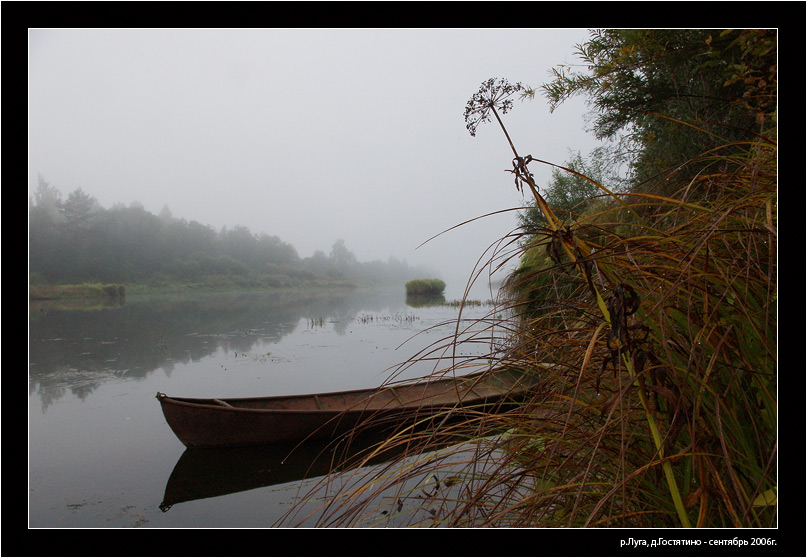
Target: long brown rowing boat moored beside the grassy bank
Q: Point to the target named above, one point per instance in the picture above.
(201, 423)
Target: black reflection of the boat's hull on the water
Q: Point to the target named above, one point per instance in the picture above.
(211, 472)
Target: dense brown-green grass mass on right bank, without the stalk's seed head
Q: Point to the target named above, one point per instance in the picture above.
(670, 411)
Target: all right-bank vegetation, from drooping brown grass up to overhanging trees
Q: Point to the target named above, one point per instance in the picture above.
(644, 296)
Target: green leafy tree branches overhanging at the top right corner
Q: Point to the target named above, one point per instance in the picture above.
(642, 84)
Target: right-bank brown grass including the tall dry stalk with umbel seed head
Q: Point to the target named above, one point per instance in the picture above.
(651, 319)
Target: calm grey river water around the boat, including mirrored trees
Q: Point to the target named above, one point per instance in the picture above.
(100, 452)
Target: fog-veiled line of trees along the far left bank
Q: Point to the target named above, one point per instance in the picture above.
(75, 240)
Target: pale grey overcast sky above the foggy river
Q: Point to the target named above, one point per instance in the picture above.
(311, 135)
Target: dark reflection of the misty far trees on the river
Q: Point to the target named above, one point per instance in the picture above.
(76, 348)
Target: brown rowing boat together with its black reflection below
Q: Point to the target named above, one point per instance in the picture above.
(340, 430)
